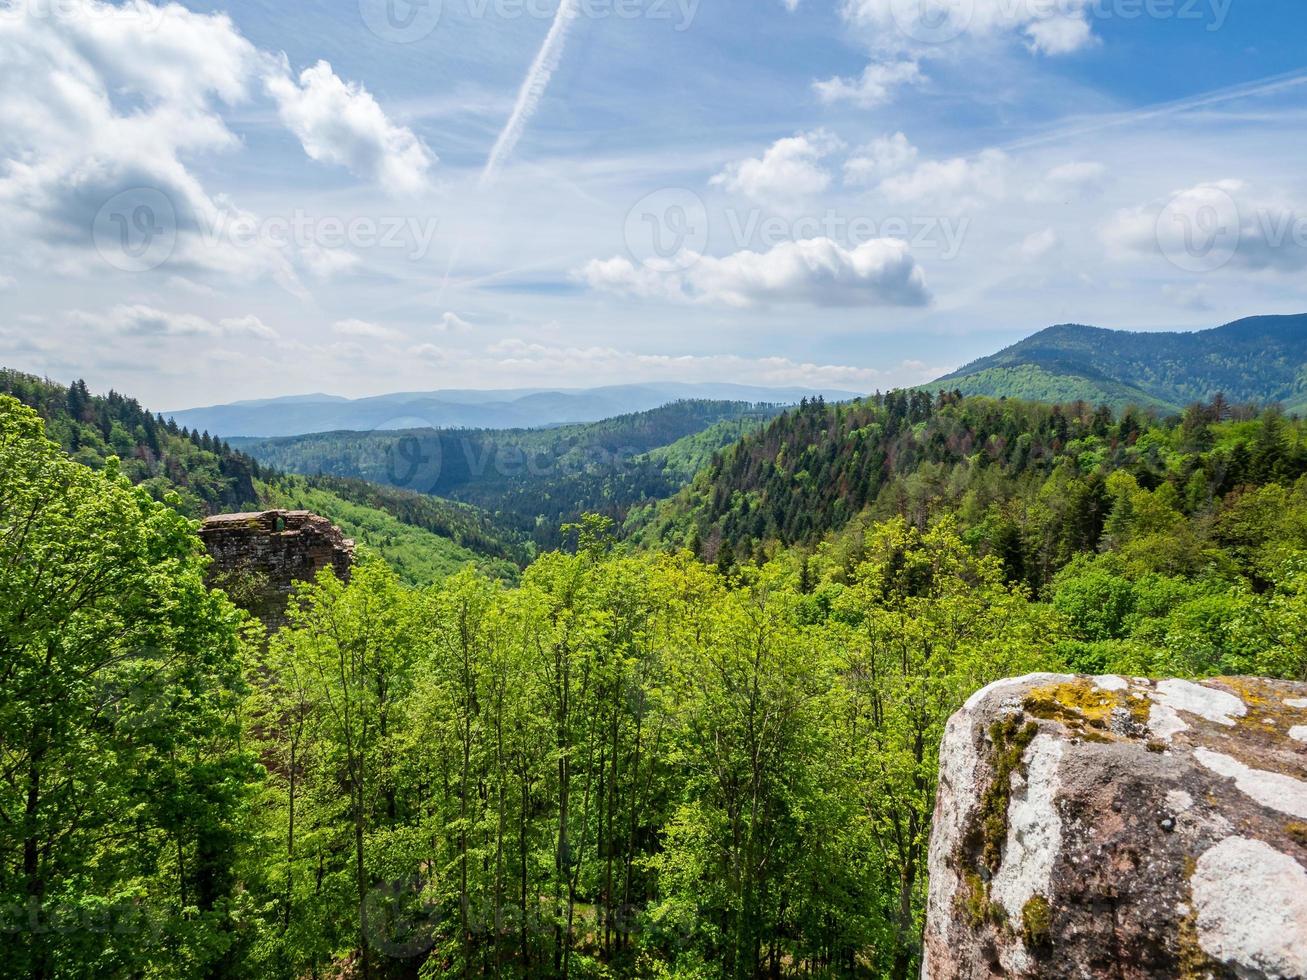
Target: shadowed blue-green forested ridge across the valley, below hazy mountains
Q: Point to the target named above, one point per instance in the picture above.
(533, 480)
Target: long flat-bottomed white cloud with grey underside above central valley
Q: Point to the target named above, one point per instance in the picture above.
(816, 272)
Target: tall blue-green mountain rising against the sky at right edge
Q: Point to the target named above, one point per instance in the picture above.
(1261, 360)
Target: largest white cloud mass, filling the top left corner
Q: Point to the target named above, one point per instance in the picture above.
(112, 100)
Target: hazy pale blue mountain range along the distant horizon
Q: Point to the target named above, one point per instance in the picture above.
(521, 408)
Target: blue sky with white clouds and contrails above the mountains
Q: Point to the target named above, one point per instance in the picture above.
(211, 202)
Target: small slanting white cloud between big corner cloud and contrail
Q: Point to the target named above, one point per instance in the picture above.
(342, 123)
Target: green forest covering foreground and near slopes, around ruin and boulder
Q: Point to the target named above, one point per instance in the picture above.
(703, 744)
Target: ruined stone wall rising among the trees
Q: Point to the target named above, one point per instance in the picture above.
(258, 559)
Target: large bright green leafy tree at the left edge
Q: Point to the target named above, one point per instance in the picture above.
(121, 765)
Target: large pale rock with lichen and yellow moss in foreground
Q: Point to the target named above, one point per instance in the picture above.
(1119, 828)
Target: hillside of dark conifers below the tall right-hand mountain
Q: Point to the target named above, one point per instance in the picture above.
(1033, 484)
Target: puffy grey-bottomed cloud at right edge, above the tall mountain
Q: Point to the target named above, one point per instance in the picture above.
(1211, 227)
